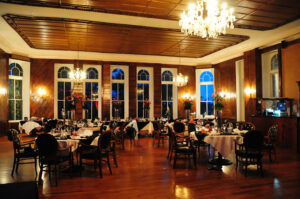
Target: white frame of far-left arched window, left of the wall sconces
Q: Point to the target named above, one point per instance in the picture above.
(25, 65)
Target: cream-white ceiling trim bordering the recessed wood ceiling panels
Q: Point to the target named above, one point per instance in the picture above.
(11, 42)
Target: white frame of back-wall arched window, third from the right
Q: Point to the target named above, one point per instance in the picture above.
(150, 82)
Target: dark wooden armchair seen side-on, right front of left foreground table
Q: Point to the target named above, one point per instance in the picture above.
(99, 153)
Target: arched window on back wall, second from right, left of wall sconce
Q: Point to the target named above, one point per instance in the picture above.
(168, 93)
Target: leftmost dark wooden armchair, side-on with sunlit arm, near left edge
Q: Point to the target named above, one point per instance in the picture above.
(23, 152)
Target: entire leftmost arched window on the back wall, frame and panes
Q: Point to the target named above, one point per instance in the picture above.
(63, 86)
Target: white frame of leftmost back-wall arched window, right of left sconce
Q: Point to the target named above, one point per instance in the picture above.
(57, 66)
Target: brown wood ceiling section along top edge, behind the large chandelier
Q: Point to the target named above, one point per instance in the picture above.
(252, 14)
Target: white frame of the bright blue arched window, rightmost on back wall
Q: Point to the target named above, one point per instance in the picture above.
(198, 93)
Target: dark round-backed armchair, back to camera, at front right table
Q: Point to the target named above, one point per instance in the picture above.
(250, 152)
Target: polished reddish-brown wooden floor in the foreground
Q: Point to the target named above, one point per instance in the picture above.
(144, 172)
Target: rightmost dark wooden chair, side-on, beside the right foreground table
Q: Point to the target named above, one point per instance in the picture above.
(270, 141)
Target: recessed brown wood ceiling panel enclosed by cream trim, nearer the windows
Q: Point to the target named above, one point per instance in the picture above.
(71, 34)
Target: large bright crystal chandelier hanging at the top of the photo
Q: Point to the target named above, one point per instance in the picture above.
(206, 20)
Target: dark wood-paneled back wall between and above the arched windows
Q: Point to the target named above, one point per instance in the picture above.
(42, 75)
